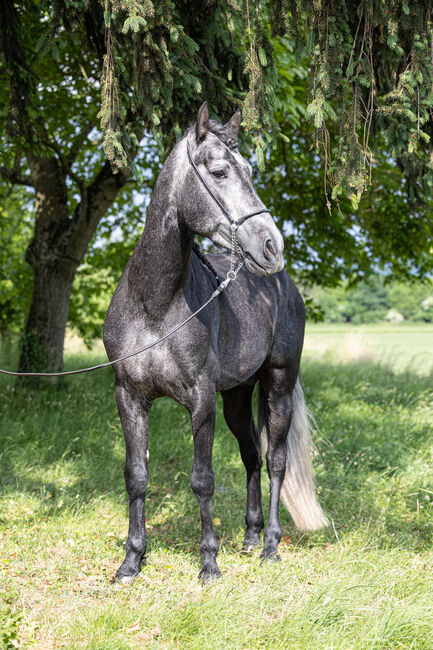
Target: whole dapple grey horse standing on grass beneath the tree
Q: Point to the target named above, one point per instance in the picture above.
(252, 332)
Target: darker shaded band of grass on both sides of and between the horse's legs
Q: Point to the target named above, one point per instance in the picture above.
(374, 465)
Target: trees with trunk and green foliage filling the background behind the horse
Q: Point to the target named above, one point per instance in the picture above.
(336, 114)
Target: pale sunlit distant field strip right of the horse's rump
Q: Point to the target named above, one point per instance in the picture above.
(399, 345)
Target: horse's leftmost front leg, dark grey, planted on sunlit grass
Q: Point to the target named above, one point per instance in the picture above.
(133, 411)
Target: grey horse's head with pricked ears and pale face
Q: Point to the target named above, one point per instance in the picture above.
(217, 198)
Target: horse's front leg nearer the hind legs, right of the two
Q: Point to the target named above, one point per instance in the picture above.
(202, 478)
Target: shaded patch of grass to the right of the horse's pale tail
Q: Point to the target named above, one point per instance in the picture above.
(375, 447)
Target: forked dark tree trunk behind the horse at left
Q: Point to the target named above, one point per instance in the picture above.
(59, 244)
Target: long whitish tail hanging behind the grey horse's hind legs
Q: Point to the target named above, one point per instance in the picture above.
(298, 491)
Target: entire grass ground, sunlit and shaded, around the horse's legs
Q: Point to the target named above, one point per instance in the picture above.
(366, 582)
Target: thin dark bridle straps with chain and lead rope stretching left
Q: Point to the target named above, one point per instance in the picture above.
(231, 275)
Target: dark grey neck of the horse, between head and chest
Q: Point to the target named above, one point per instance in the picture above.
(160, 263)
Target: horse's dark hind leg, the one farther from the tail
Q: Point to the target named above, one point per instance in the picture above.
(239, 417)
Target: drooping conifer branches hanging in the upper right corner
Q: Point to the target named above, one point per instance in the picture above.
(372, 72)
